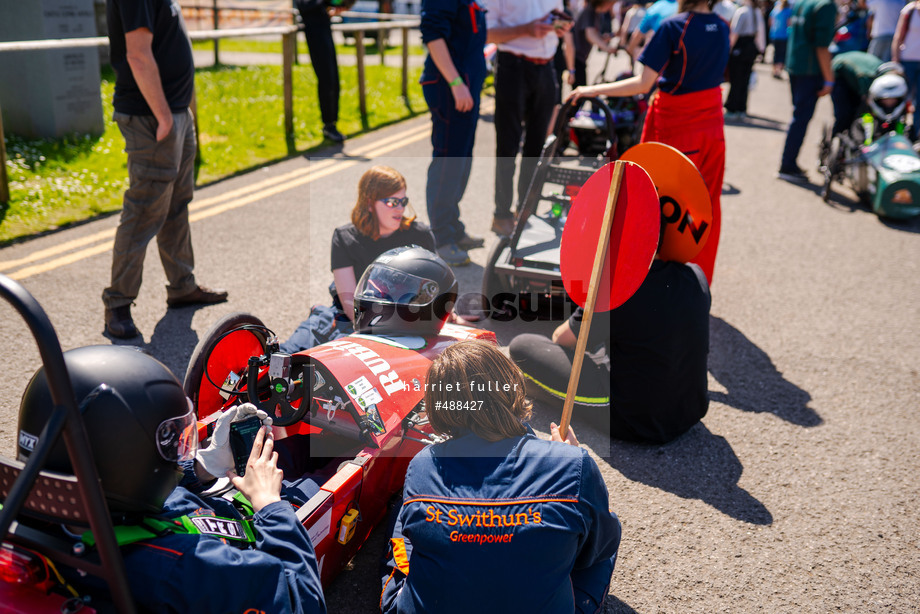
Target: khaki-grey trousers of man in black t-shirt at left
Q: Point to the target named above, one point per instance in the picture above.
(161, 185)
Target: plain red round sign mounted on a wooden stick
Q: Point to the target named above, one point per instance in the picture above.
(633, 236)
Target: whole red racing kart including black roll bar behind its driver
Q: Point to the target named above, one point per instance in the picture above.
(348, 414)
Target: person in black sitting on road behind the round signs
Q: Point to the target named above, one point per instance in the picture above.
(649, 354)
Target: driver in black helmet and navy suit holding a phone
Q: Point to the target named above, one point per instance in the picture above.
(143, 434)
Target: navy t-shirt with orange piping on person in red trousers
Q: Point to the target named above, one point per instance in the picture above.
(697, 65)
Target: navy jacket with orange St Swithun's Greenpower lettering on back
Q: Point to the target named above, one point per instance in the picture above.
(517, 525)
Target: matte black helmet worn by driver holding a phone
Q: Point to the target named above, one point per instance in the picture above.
(137, 417)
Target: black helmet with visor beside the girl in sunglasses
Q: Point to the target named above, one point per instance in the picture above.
(406, 290)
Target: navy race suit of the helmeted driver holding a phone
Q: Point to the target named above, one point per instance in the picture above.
(200, 573)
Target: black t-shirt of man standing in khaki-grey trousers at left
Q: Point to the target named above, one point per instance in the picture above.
(171, 50)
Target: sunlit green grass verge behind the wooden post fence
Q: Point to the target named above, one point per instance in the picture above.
(241, 122)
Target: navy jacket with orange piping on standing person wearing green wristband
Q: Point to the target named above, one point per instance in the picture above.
(462, 25)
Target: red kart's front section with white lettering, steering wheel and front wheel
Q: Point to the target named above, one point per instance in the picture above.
(347, 413)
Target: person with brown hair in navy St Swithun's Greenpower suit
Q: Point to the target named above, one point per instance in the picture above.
(495, 519)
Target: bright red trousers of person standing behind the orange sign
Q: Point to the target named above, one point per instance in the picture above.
(692, 124)
